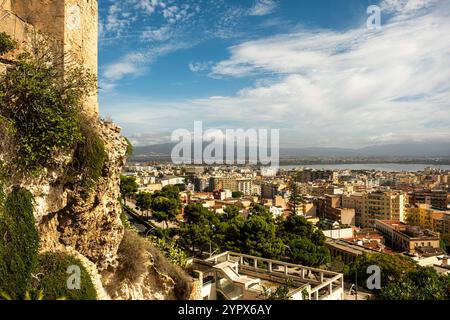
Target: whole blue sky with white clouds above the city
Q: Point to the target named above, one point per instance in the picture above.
(309, 68)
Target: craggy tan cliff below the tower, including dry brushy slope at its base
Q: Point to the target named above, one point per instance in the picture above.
(87, 225)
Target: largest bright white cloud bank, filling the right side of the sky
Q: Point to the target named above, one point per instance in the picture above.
(346, 88)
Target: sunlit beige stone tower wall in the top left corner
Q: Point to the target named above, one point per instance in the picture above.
(74, 23)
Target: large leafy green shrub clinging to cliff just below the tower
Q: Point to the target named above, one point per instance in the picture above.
(43, 101)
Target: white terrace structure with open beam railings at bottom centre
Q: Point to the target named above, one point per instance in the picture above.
(235, 276)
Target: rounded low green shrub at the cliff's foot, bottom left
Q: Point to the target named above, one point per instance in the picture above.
(55, 270)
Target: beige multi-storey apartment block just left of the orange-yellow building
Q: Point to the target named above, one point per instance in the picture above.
(382, 205)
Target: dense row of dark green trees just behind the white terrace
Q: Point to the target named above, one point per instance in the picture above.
(259, 234)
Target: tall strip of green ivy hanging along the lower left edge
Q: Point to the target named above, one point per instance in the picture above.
(19, 243)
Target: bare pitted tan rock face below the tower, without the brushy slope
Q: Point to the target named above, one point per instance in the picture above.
(72, 220)
